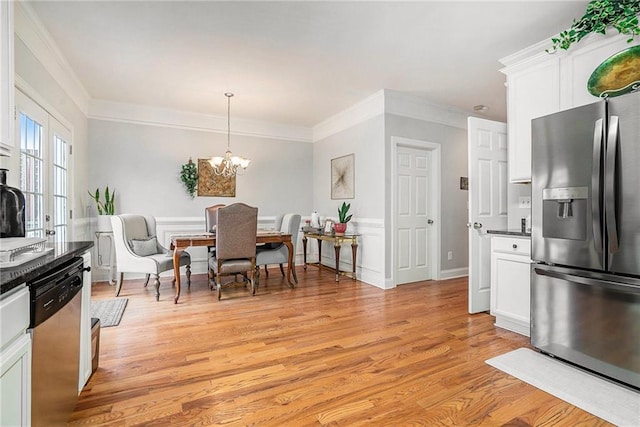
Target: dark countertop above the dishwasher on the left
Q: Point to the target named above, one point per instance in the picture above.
(62, 252)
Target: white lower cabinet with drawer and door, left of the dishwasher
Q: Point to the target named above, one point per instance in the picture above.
(15, 358)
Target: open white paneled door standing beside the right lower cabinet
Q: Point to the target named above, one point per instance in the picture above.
(488, 180)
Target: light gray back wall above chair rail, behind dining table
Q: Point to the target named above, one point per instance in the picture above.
(143, 164)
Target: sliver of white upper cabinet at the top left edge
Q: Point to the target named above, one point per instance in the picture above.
(6, 77)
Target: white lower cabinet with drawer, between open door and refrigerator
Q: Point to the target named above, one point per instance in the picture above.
(510, 282)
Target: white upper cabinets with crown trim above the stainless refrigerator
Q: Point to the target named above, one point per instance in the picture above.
(539, 83)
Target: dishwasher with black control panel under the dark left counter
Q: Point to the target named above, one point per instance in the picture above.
(55, 327)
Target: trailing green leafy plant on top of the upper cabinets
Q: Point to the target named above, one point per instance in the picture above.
(600, 15)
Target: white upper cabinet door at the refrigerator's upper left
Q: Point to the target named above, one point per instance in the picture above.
(532, 92)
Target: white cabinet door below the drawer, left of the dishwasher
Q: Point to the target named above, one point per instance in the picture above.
(15, 383)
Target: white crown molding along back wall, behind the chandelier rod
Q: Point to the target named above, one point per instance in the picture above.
(154, 116)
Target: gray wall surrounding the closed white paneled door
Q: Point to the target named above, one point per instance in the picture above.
(453, 142)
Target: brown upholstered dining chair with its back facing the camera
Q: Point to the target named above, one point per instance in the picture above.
(235, 252)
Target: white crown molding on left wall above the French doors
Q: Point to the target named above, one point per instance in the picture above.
(29, 28)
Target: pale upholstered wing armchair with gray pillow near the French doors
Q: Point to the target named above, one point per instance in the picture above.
(138, 251)
